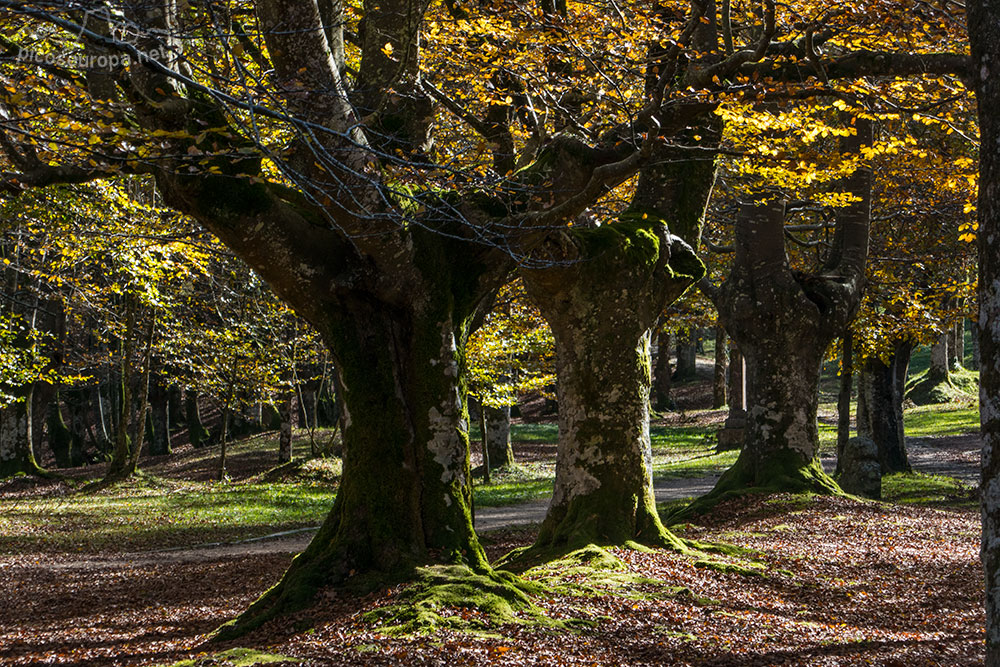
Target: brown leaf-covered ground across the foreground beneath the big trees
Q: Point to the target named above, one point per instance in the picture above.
(847, 583)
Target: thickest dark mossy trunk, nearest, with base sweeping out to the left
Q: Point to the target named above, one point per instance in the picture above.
(406, 495)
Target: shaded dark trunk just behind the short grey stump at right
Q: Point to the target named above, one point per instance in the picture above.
(880, 406)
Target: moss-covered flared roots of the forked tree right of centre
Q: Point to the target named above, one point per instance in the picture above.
(781, 474)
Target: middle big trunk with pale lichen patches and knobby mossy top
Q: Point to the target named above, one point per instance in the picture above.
(601, 299)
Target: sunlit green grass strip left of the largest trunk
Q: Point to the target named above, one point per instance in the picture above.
(150, 513)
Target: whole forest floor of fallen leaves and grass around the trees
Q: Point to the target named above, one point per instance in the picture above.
(825, 581)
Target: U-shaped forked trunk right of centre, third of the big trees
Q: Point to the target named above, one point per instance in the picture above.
(783, 321)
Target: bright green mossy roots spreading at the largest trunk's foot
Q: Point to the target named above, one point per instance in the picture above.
(430, 602)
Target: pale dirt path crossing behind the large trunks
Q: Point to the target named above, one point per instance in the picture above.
(955, 456)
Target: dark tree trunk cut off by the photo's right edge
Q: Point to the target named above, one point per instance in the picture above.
(984, 34)
